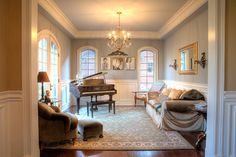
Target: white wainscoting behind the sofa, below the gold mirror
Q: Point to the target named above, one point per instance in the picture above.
(203, 88)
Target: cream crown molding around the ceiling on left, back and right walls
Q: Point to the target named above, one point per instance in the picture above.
(183, 13)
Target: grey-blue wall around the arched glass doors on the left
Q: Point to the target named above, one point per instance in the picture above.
(64, 41)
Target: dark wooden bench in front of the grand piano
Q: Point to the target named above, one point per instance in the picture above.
(102, 102)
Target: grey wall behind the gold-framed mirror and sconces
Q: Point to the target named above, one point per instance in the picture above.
(194, 29)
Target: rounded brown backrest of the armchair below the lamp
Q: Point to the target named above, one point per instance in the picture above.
(45, 111)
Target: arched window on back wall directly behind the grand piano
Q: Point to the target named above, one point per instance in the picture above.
(87, 61)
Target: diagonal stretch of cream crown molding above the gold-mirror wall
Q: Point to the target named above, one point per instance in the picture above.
(182, 14)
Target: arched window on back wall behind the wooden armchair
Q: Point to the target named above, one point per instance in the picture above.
(147, 70)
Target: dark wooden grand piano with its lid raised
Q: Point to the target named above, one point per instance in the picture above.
(92, 86)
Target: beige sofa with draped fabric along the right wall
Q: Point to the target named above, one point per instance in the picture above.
(175, 114)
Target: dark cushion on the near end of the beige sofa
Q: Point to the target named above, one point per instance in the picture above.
(192, 94)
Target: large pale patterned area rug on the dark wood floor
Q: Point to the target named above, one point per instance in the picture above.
(129, 129)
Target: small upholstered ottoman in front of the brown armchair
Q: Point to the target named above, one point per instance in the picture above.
(90, 128)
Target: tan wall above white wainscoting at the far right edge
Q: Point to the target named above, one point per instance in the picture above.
(230, 46)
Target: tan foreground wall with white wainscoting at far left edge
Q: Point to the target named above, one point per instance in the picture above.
(11, 112)
